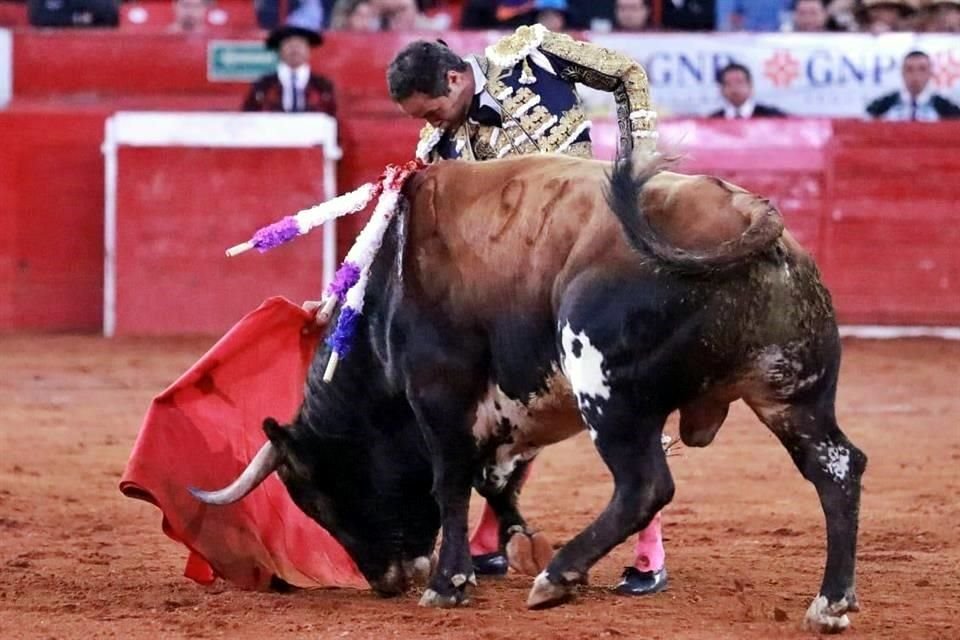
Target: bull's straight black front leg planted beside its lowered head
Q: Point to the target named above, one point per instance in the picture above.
(442, 414)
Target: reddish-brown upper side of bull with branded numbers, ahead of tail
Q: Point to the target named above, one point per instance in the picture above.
(500, 233)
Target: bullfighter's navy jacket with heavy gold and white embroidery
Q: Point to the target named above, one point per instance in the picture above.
(529, 103)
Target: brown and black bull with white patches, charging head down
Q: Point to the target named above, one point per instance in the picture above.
(519, 302)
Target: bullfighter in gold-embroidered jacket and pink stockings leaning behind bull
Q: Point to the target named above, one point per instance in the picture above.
(520, 98)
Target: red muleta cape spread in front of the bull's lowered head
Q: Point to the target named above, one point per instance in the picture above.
(204, 429)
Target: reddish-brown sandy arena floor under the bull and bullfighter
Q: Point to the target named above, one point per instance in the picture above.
(745, 542)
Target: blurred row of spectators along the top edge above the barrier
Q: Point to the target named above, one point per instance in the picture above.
(872, 16)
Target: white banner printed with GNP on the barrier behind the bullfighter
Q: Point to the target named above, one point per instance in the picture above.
(833, 75)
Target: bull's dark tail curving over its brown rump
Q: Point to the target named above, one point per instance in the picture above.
(765, 226)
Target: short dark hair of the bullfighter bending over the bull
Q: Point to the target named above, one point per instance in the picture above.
(422, 67)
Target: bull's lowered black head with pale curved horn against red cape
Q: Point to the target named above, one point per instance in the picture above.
(370, 488)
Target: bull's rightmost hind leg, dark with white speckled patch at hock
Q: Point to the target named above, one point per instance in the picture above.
(825, 457)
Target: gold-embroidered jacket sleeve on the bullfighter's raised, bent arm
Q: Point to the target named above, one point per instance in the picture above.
(607, 70)
